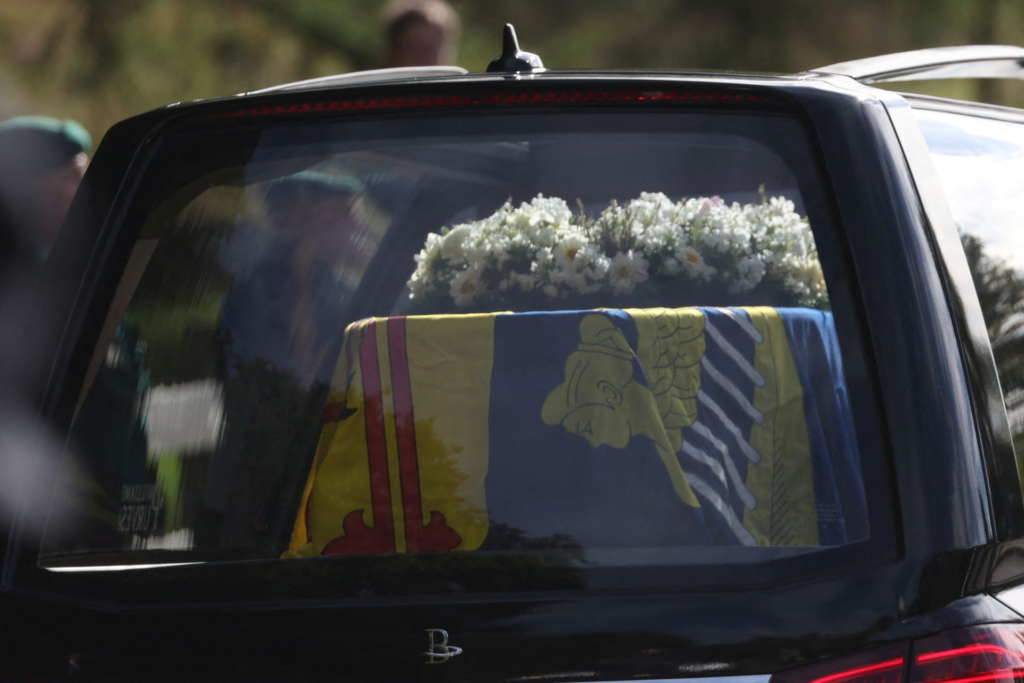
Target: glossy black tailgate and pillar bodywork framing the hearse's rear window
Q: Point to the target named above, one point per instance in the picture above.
(927, 371)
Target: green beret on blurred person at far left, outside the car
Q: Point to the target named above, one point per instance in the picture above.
(35, 145)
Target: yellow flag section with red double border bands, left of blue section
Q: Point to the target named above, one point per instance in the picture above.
(389, 479)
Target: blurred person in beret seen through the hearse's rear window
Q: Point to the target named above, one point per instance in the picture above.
(283, 326)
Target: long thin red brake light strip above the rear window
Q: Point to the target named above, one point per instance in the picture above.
(495, 99)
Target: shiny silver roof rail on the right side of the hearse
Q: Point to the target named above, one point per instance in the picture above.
(941, 63)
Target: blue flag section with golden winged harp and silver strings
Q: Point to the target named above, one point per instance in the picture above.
(674, 429)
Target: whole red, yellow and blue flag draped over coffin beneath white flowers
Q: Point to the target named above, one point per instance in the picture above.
(636, 429)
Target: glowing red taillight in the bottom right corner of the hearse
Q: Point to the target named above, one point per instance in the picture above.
(976, 655)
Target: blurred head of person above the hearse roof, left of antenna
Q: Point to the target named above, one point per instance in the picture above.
(421, 33)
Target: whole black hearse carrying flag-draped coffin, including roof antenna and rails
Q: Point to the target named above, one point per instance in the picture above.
(538, 376)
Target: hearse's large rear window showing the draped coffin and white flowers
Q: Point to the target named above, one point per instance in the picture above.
(590, 340)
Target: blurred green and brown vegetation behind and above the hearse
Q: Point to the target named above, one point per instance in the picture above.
(103, 61)
